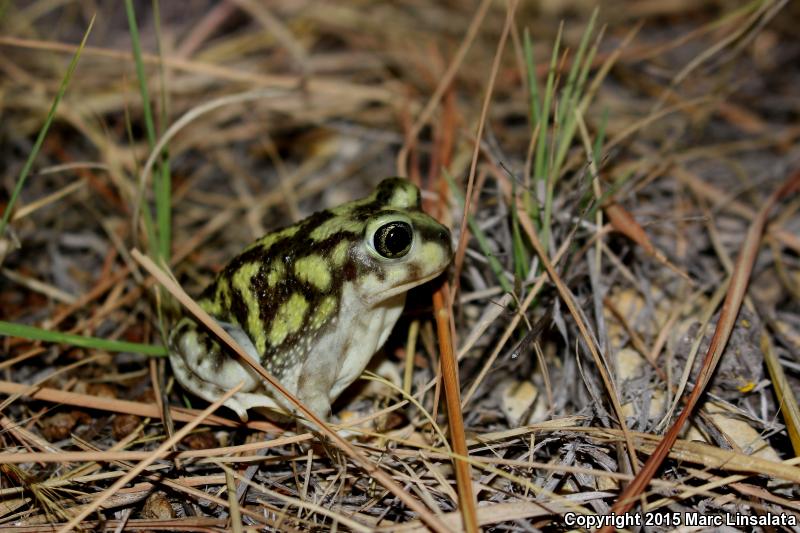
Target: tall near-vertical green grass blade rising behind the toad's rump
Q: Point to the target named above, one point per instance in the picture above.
(162, 181)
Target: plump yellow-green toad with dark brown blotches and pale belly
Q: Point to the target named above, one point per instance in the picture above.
(311, 302)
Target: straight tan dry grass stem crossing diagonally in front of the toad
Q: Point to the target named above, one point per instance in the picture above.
(370, 468)
